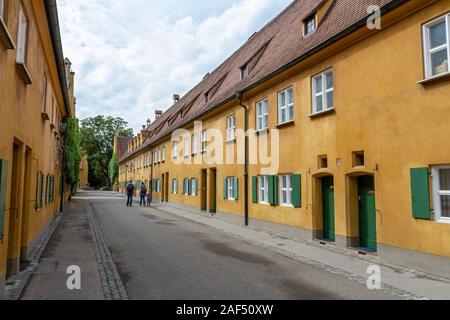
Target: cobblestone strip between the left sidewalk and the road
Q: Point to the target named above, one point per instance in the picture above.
(113, 288)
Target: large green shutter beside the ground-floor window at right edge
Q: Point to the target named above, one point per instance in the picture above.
(420, 193)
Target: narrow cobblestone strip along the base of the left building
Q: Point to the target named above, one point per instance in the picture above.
(17, 285)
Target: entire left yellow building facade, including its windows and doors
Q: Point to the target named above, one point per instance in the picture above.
(33, 103)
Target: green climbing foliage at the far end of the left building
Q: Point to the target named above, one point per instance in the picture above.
(72, 152)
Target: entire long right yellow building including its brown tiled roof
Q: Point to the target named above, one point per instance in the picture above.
(357, 121)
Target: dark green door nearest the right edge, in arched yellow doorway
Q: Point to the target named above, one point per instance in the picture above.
(367, 213)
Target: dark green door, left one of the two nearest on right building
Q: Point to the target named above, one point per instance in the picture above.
(328, 208)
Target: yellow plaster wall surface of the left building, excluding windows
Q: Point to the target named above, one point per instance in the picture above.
(38, 143)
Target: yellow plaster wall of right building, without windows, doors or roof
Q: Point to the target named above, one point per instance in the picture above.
(380, 108)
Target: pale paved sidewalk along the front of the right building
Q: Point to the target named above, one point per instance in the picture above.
(406, 283)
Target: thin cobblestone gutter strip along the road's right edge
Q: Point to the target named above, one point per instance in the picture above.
(403, 294)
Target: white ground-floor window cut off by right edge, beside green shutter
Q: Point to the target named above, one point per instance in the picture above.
(441, 192)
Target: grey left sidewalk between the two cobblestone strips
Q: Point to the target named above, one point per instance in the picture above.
(71, 244)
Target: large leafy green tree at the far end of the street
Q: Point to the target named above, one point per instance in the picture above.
(97, 139)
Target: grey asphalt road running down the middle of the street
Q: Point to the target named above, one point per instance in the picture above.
(161, 256)
